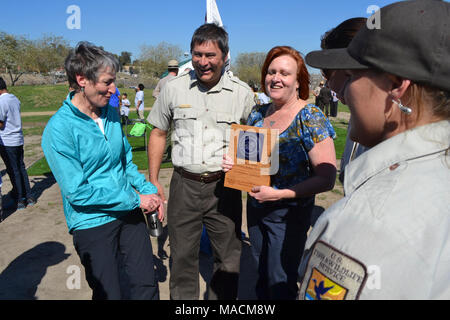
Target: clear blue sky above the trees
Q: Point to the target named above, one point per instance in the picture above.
(253, 25)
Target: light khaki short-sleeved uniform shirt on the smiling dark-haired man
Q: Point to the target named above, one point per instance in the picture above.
(201, 118)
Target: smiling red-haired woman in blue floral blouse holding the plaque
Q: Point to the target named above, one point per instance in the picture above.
(278, 216)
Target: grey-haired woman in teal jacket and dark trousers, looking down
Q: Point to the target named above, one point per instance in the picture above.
(103, 193)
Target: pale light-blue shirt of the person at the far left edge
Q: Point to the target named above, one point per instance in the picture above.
(11, 135)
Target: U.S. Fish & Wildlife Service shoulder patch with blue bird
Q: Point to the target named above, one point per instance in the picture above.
(332, 275)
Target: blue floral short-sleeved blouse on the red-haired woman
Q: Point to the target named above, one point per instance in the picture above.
(309, 127)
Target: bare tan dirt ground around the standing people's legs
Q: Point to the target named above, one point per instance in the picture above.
(38, 260)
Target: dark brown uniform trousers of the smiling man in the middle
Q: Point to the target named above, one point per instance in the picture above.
(191, 205)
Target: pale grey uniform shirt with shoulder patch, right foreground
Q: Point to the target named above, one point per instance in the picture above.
(389, 237)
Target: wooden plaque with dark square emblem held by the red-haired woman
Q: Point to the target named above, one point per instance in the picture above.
(250, 148)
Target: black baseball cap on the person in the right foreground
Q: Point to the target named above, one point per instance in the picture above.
(412, 41)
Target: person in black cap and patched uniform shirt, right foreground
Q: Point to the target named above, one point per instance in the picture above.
(388, 237)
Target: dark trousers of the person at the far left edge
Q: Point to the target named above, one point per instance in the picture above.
(15, 167)
